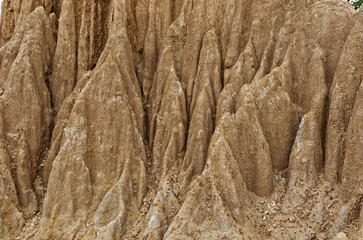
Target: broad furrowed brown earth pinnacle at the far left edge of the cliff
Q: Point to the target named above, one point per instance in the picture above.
(25, 115)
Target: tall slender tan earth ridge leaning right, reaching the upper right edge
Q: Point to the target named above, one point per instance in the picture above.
(343, 92)
